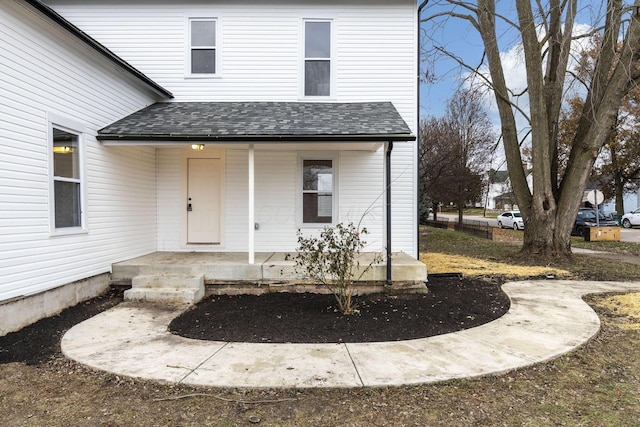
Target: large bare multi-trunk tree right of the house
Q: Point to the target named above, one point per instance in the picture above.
(545, 32)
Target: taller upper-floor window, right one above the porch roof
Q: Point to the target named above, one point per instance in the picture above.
(317, 58)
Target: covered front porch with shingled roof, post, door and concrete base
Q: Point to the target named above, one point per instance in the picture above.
(235, 182)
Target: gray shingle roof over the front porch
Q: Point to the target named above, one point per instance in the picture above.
(261, 121)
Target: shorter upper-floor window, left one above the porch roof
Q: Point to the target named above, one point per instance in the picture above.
(203, 46)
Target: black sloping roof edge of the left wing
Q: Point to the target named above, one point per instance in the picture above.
(102, 50)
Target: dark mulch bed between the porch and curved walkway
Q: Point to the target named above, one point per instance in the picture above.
(452, 304)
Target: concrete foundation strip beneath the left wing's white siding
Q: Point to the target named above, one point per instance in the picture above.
(17, 313)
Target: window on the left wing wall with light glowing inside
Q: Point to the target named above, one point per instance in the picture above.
(67, 179)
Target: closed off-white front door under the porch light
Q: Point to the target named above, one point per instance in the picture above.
(203, 200)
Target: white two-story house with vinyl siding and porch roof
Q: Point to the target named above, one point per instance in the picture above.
(300, 113)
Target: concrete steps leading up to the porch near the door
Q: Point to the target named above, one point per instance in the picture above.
(166, 288)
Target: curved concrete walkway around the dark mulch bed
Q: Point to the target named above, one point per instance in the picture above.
(546, 319)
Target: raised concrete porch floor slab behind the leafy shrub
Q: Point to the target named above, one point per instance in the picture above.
(231, 273)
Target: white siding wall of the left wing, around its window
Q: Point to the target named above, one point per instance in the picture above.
(45, 70)
